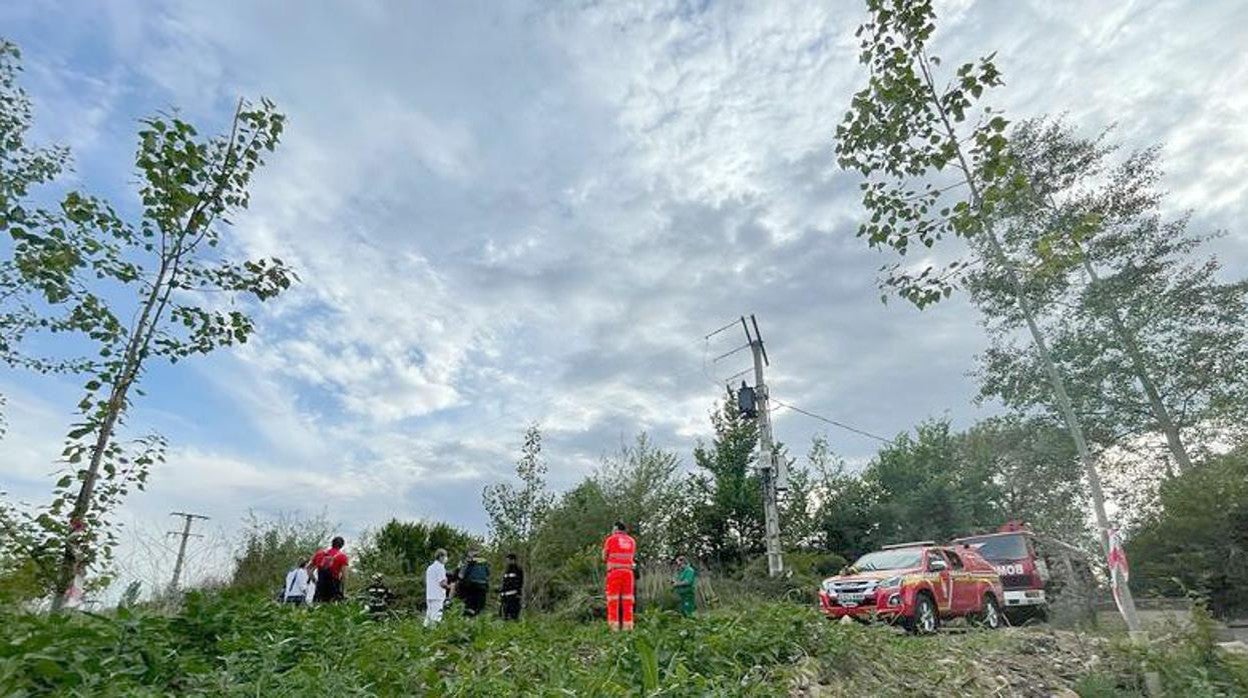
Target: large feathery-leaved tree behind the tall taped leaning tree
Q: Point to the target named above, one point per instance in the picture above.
(1150, 339)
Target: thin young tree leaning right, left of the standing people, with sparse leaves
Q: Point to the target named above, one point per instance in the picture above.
(155, 287)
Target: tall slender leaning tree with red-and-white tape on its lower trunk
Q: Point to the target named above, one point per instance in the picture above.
(937, 165)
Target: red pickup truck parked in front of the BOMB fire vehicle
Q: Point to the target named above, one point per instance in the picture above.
(917, 585)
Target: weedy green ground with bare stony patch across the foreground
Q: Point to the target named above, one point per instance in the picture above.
(229, 646)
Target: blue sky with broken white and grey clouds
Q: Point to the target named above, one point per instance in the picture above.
(506, 213)
